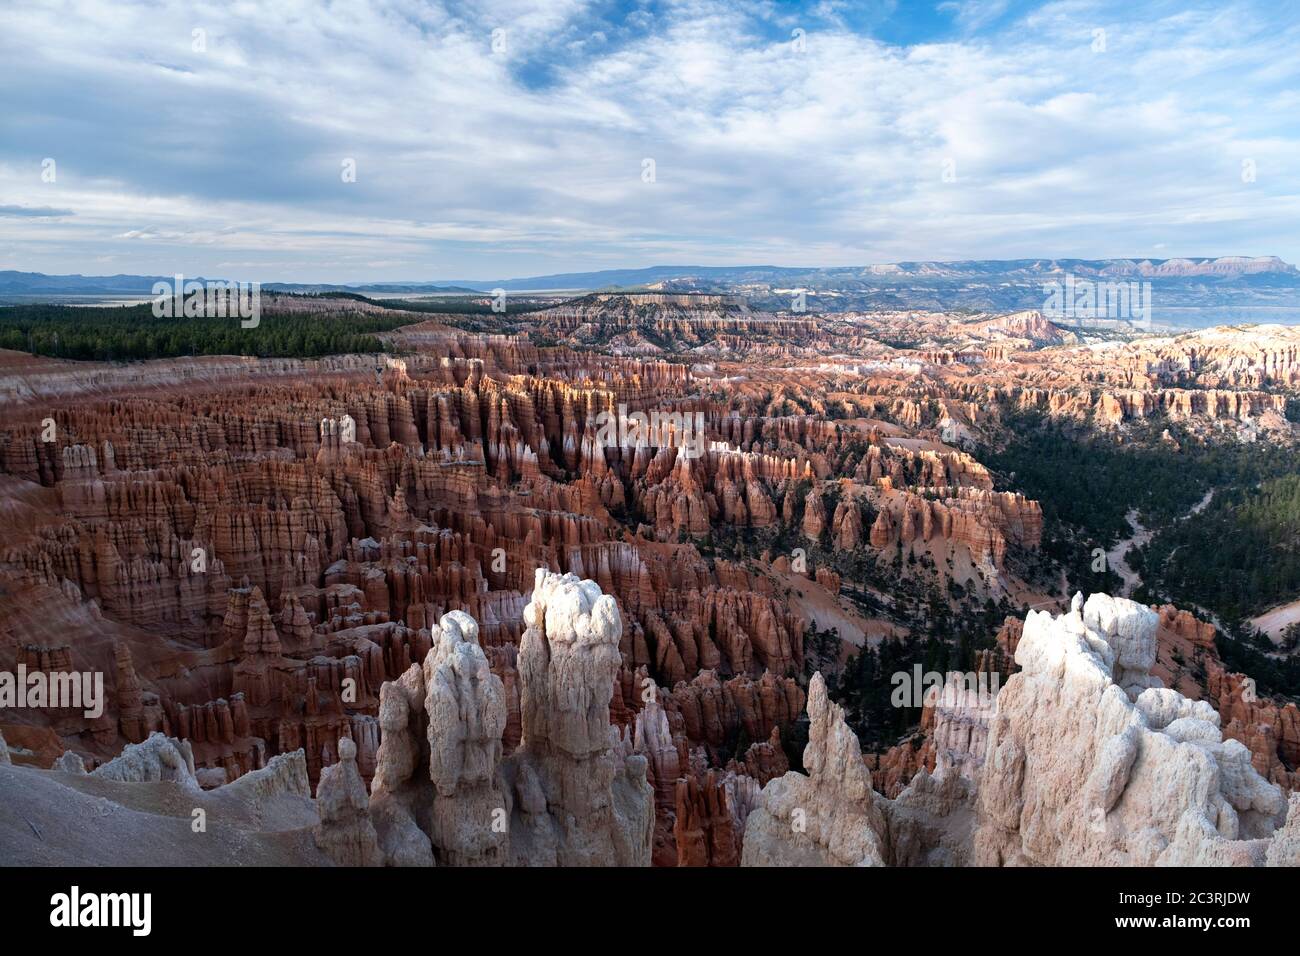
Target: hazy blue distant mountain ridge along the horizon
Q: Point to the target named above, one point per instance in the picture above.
(1185, 292)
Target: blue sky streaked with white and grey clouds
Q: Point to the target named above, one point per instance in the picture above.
(393, 140)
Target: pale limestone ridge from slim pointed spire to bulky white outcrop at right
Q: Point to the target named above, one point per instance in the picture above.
(1082, 759)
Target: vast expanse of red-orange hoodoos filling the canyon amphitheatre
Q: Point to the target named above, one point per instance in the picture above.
(250, 550)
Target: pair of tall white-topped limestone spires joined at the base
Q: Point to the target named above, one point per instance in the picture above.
(570, 795)
